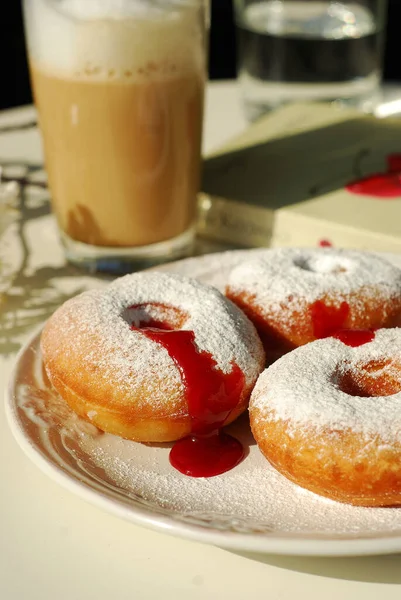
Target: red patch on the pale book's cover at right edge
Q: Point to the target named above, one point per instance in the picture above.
(381, 185)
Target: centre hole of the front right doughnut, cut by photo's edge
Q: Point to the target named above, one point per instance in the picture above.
(375, 378)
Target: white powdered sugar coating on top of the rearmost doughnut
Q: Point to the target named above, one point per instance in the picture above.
(285, 275)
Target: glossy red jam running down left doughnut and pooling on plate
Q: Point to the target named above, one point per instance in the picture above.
(211, 396)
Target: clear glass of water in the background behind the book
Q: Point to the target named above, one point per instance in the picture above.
(309, 50)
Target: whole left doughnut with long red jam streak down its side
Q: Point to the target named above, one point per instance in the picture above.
(103, 351)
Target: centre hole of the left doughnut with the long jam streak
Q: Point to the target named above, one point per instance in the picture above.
(155, 315)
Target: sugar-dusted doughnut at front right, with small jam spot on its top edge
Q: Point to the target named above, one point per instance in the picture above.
(328, 417)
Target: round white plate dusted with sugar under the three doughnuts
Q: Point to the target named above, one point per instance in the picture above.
(251, 508)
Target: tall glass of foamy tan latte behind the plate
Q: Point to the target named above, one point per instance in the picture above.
(119, 85)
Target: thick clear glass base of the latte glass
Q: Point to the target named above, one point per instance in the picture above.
(126, 260)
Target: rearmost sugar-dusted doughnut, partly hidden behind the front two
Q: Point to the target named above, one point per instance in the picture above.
(295, 296)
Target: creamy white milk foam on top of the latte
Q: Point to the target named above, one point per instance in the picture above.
(115, 39)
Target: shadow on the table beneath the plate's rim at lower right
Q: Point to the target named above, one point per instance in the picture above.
(370, 569)
